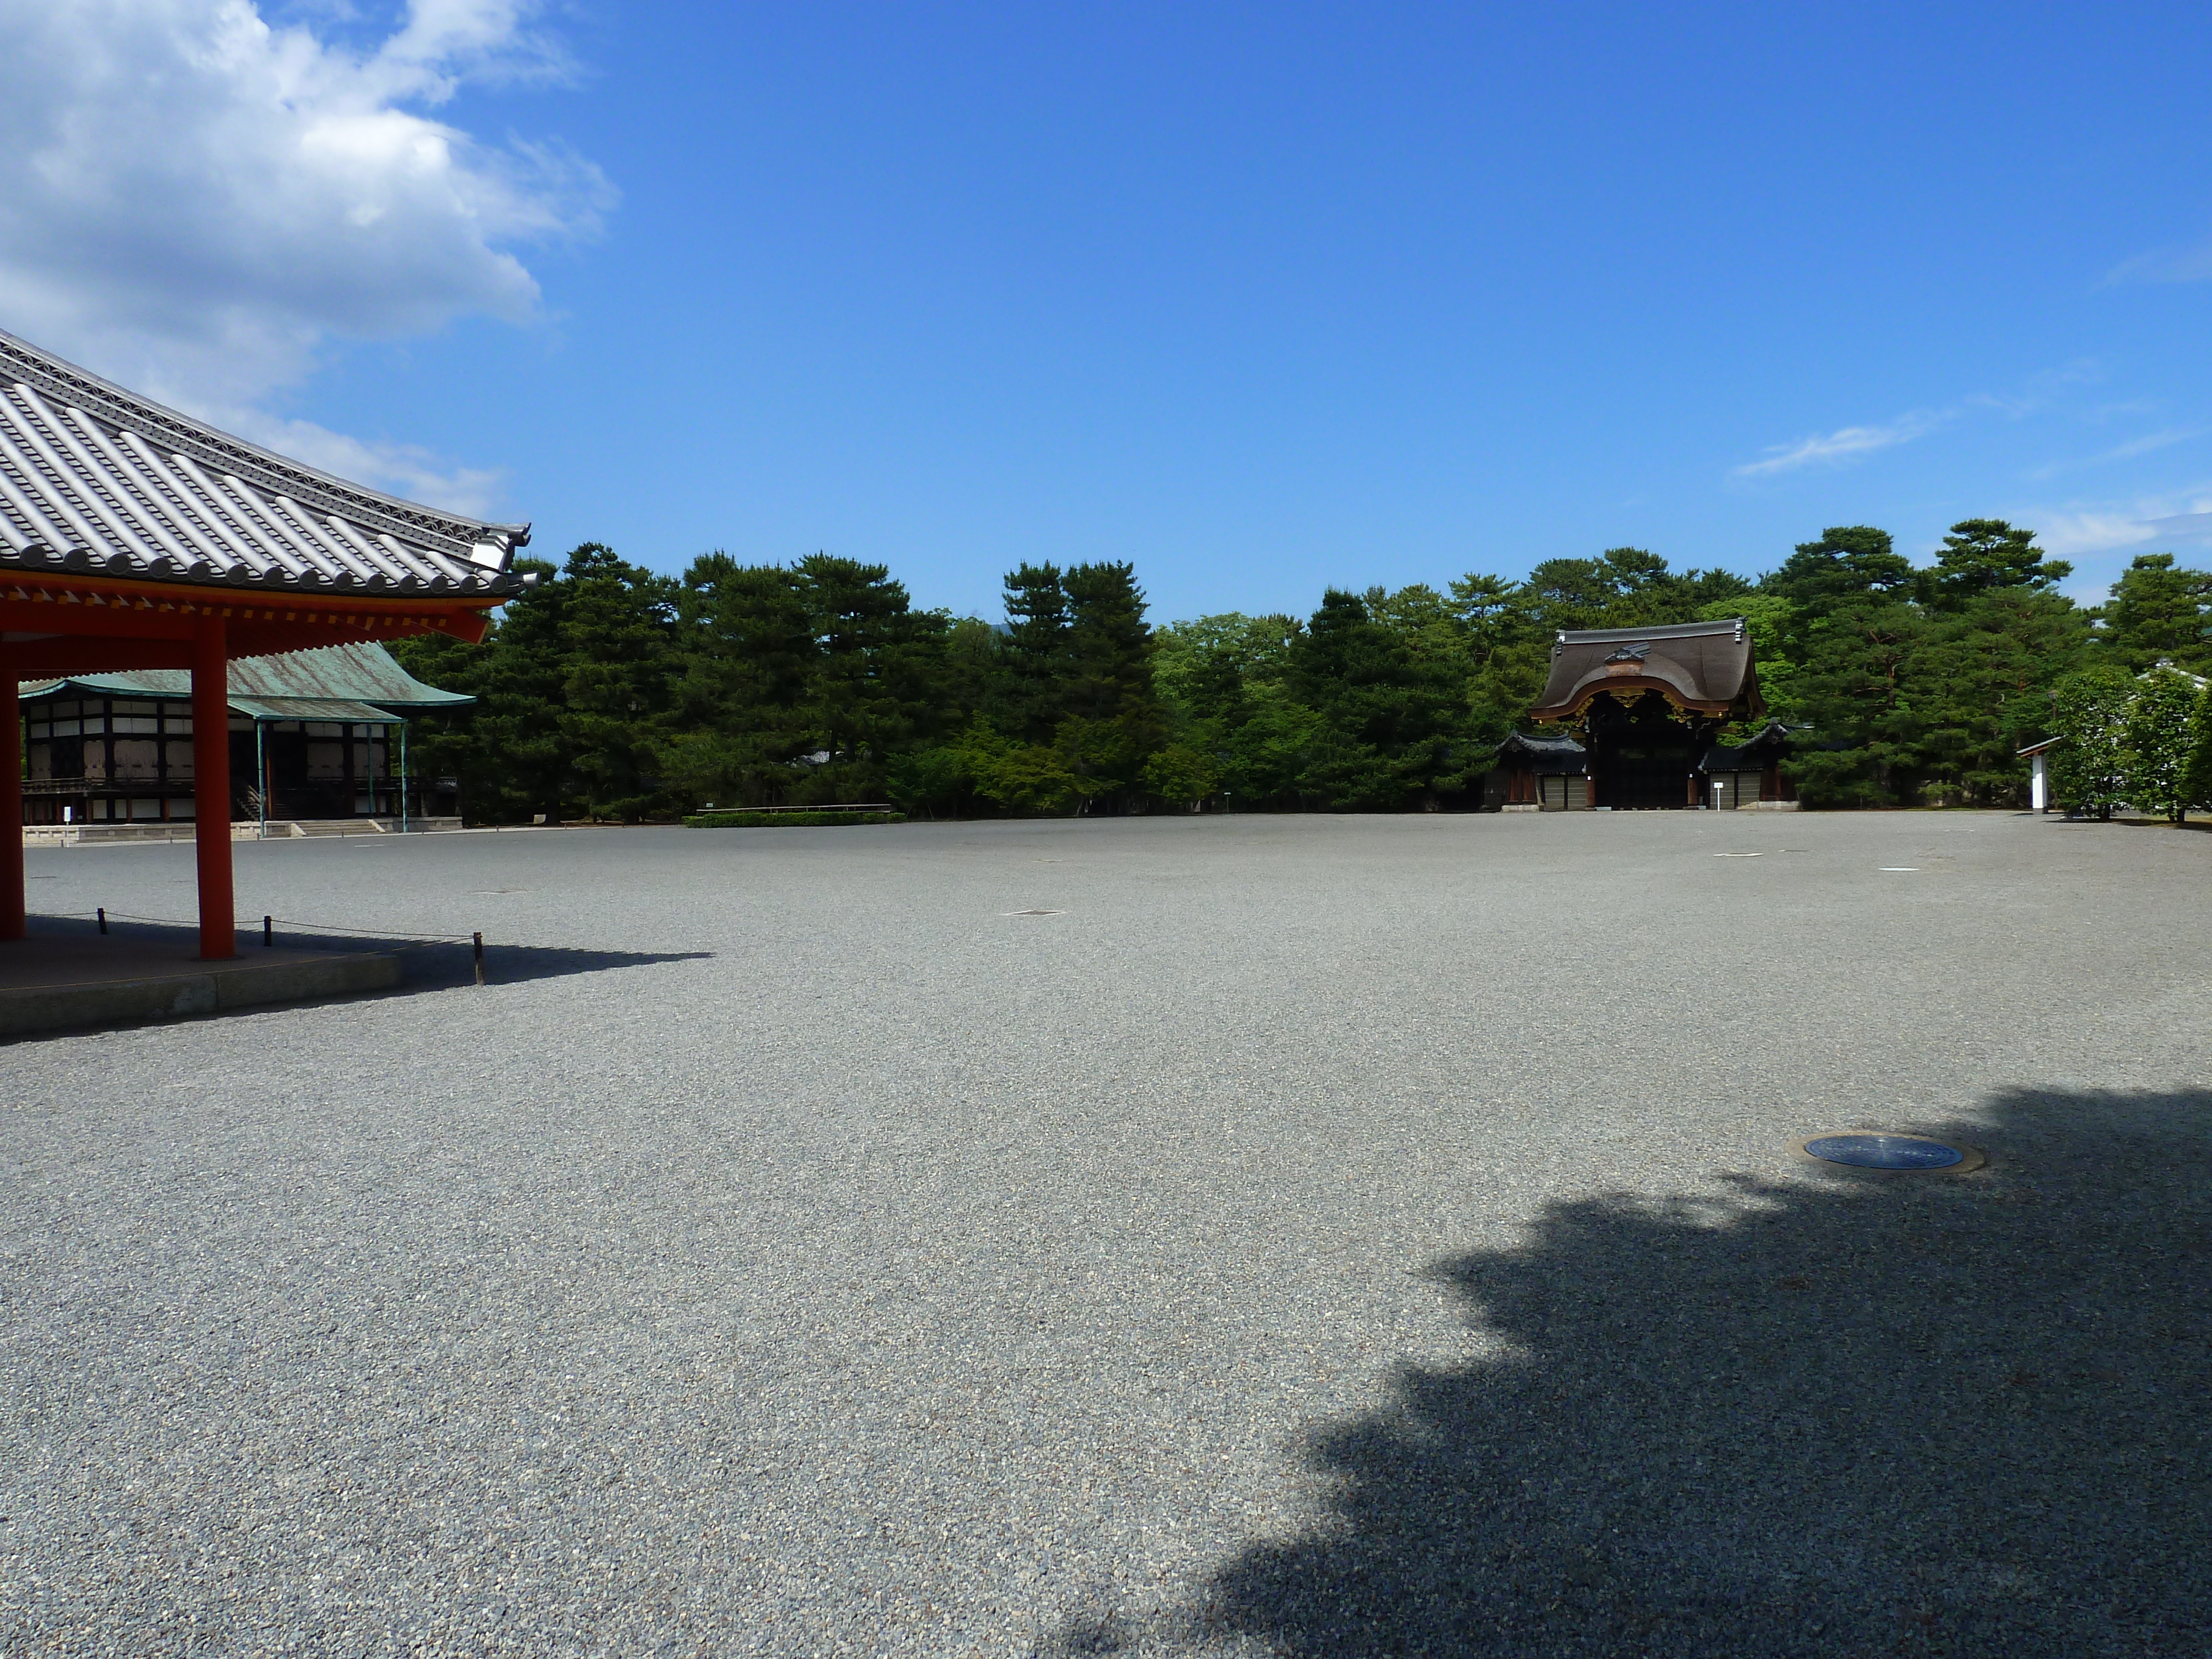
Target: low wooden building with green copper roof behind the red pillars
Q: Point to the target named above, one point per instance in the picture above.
(315, 735)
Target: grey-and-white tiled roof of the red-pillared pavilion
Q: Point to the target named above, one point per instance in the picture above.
(107, 483)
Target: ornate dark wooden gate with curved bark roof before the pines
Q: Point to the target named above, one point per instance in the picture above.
(1645, 709)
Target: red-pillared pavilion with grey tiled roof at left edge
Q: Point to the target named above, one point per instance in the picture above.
(134, 539)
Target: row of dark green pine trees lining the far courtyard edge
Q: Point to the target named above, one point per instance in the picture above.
(616, 693)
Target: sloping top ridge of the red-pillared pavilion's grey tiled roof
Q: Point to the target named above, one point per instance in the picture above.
(247, 461)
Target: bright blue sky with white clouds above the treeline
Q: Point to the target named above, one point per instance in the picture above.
(1260, 298)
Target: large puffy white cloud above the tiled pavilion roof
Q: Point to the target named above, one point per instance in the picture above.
(194, 202)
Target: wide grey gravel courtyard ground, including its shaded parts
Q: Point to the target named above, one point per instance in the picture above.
(1322, 1238)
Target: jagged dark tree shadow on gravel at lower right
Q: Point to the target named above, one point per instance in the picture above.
(1841, 1415)
